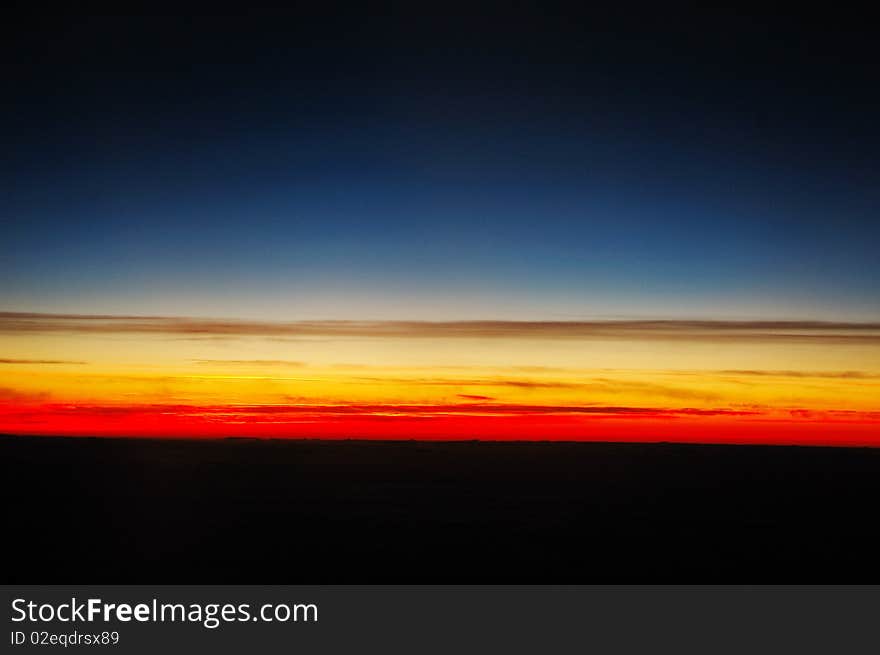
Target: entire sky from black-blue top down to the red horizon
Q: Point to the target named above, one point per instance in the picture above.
(404, 223)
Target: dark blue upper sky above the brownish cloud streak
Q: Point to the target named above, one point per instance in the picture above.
(485, 165)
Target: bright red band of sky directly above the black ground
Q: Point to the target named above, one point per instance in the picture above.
(399, 424)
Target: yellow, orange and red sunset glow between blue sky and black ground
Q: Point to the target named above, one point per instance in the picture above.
(694, 381)
